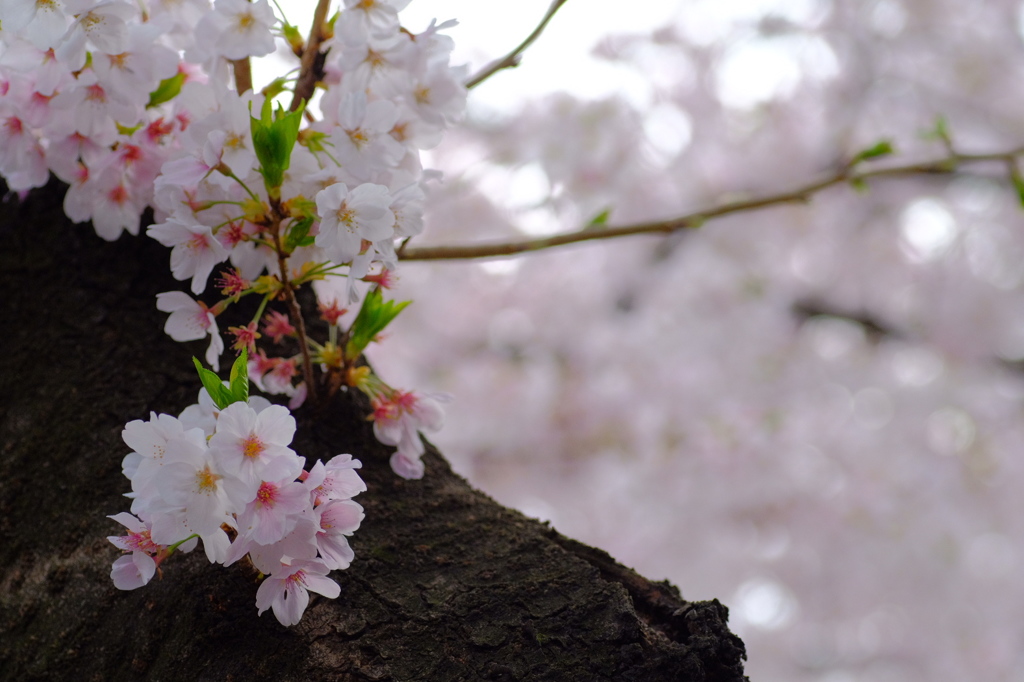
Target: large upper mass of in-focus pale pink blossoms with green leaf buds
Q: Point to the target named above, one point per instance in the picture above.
(139, 105)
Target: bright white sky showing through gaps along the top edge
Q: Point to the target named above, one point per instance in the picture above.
(752, 70)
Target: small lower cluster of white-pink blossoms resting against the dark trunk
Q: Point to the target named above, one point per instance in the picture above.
(229, 479)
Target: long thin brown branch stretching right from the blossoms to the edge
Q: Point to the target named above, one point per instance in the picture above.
(946, 166)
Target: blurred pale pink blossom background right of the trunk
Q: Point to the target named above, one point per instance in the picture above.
(813, 413)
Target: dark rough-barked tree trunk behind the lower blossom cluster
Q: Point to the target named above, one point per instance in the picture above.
(447, 585)
